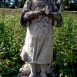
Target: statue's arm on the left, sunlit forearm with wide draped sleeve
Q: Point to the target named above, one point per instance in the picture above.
(29, 15)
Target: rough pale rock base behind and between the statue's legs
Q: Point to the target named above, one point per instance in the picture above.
(24, 71)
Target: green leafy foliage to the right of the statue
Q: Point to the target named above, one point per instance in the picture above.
(65, 42)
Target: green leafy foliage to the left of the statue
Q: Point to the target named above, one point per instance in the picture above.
(11, 39)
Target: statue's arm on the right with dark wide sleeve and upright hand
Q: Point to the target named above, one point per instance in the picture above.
(54, 15)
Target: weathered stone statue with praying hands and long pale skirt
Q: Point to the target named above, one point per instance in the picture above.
(39, 16)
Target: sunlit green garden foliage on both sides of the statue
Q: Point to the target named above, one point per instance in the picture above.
(12, 39)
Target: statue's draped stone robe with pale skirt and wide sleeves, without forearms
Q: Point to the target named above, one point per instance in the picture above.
(38, 46)
